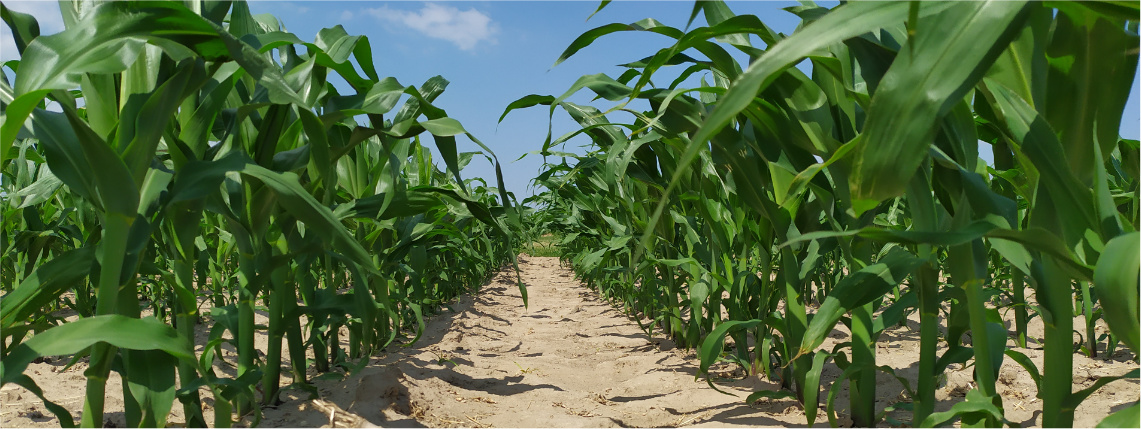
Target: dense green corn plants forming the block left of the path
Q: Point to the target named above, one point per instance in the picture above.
(204, 157)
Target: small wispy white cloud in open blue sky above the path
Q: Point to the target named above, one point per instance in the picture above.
(464, 28)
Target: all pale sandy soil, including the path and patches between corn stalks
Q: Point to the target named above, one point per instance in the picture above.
(571, 360)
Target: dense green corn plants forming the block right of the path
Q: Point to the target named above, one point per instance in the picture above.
(855, 193)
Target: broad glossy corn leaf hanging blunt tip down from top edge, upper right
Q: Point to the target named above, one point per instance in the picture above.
(940, 66)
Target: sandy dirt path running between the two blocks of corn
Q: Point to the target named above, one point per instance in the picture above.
(568, 361)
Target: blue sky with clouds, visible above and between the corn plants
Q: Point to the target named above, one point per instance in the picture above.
(495, 53)
